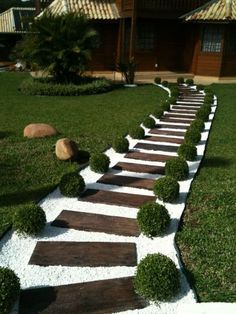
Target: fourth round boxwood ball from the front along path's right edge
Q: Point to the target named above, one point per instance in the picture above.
(177, 168)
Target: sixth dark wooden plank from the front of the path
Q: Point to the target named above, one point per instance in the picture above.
(125, 166)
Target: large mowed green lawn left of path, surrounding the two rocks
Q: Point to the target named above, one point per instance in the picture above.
(28, 167)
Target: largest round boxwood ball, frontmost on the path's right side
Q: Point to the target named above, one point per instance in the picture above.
(157, 278)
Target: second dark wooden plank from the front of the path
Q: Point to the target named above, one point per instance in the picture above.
(92, 254)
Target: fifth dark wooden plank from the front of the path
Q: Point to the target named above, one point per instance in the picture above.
(133, 182)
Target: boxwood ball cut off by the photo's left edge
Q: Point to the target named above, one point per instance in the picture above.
(9, 289)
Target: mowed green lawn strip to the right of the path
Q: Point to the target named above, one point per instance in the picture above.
(207, 238)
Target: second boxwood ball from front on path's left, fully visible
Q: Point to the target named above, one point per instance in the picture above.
(29, 219)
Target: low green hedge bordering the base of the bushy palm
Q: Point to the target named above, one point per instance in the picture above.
(48, 88)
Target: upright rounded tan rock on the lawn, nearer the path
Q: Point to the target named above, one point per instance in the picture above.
(66, 149)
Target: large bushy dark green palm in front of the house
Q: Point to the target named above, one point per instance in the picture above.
(61, 45)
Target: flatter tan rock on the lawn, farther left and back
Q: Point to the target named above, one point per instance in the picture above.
(35, 130)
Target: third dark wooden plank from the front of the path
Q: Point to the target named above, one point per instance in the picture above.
(97, 223)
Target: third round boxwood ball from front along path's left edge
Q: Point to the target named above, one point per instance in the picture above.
(72, 184)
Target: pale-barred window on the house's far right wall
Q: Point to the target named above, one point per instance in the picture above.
(212, 39)
